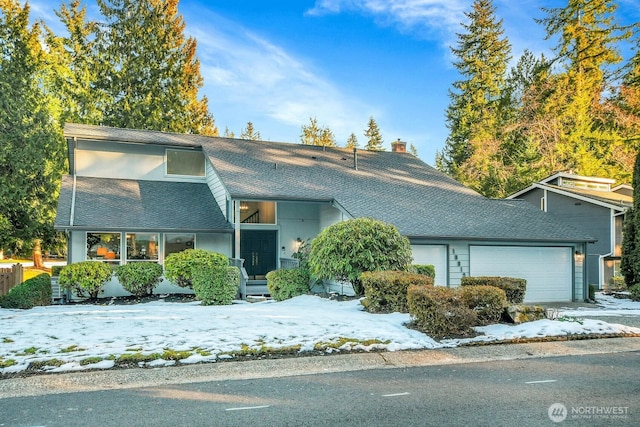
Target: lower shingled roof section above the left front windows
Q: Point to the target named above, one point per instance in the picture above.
(105, 204)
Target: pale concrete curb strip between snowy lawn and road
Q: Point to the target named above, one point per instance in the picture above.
(272, 368)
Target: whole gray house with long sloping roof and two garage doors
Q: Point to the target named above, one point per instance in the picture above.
(134, 195)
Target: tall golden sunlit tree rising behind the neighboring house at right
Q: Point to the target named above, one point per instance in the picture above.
(588, 50)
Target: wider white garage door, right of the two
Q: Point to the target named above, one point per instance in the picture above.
(548, 271)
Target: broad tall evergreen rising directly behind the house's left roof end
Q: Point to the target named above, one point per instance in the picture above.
(151, 74)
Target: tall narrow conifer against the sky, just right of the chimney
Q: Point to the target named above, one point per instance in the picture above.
(474, 113)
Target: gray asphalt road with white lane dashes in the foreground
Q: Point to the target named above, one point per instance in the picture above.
(597, 388)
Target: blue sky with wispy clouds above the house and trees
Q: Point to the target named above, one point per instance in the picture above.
(277, 63)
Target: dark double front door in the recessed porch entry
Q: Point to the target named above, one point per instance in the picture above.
(258, 249)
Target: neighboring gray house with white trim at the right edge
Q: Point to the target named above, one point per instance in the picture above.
(592, 204)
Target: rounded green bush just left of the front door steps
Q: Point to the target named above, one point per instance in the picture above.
(216, 285)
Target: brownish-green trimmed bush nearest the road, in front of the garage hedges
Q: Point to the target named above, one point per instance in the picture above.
(440, 312)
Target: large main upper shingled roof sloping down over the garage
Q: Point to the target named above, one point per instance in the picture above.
(394, 187)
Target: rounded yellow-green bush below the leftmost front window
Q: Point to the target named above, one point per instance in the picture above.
(85, 276)
